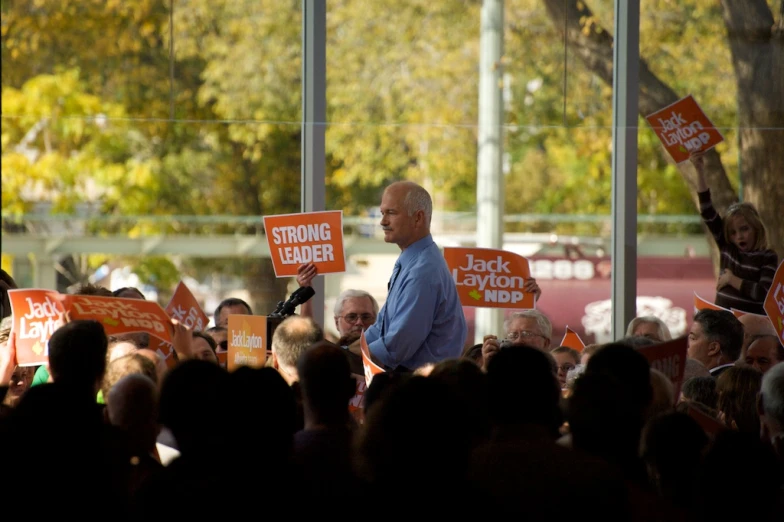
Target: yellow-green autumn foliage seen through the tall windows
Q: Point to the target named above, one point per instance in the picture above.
(402, 103)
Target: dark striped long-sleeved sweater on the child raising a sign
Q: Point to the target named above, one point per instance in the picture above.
(756, 269)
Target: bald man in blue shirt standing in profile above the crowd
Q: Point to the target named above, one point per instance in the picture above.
(422, 320)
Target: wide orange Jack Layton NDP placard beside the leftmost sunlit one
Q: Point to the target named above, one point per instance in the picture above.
(119, 315)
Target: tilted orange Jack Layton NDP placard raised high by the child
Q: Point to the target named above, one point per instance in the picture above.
(684, 129)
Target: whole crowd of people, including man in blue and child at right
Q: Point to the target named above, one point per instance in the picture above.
(512, 426)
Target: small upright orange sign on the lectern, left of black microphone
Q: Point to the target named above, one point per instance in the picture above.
(247, 341)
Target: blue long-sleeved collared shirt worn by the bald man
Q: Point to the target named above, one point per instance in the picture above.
(422, 320)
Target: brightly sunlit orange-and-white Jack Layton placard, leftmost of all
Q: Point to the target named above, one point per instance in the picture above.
(37, 314)
